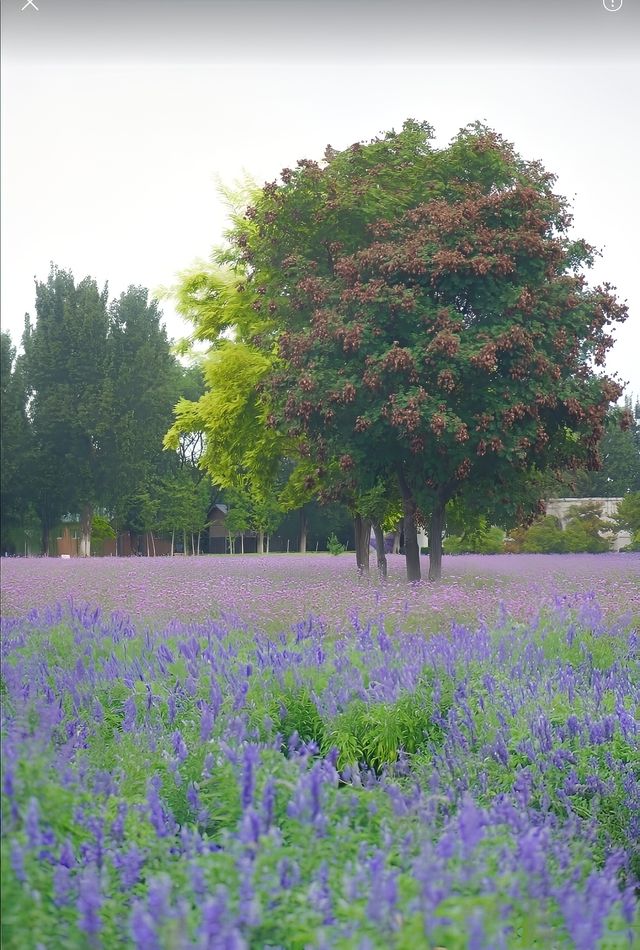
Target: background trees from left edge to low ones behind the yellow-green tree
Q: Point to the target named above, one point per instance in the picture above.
(85, 406)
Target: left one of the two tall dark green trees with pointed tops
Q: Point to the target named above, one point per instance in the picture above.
(65, 357)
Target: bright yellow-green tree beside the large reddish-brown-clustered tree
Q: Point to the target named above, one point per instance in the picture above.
(229, 421)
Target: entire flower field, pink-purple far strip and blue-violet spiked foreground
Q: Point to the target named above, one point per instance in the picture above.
(269, 753)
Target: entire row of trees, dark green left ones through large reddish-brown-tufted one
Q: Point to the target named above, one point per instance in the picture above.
(399, 331)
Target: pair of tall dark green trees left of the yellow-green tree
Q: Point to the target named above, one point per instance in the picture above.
(102, 383)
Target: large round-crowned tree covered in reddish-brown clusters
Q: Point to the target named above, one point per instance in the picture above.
(433, 322)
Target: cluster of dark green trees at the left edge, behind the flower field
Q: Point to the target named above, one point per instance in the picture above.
(85, 406)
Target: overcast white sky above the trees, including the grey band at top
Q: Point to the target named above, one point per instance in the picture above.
(119, 117)
